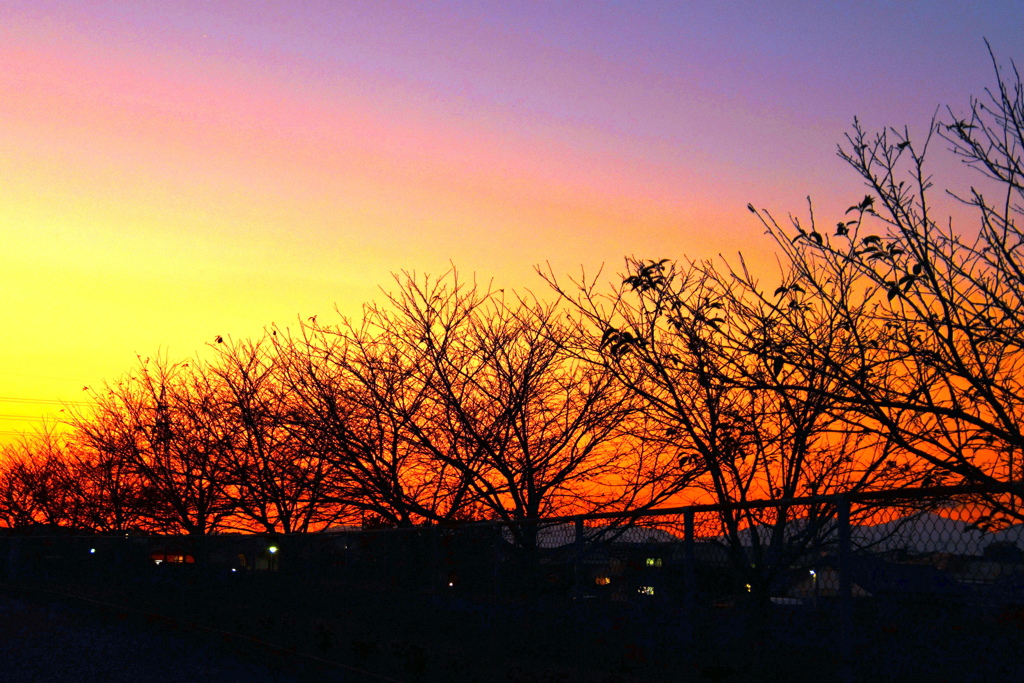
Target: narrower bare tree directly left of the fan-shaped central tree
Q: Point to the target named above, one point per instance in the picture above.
(355, 396)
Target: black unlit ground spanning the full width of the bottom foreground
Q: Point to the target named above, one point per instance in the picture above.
(265, 632)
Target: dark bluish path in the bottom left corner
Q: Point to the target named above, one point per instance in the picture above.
(59, 643)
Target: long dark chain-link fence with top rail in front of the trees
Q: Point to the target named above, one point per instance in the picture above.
(914, 585)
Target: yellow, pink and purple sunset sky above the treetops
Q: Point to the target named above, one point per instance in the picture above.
(173, 172)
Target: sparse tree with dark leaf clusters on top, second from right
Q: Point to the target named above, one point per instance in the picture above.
(715, 363)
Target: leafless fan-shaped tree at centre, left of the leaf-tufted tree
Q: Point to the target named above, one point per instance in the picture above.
(533, 431)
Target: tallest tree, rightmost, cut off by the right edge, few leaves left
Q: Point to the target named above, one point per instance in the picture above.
(934, 312)
